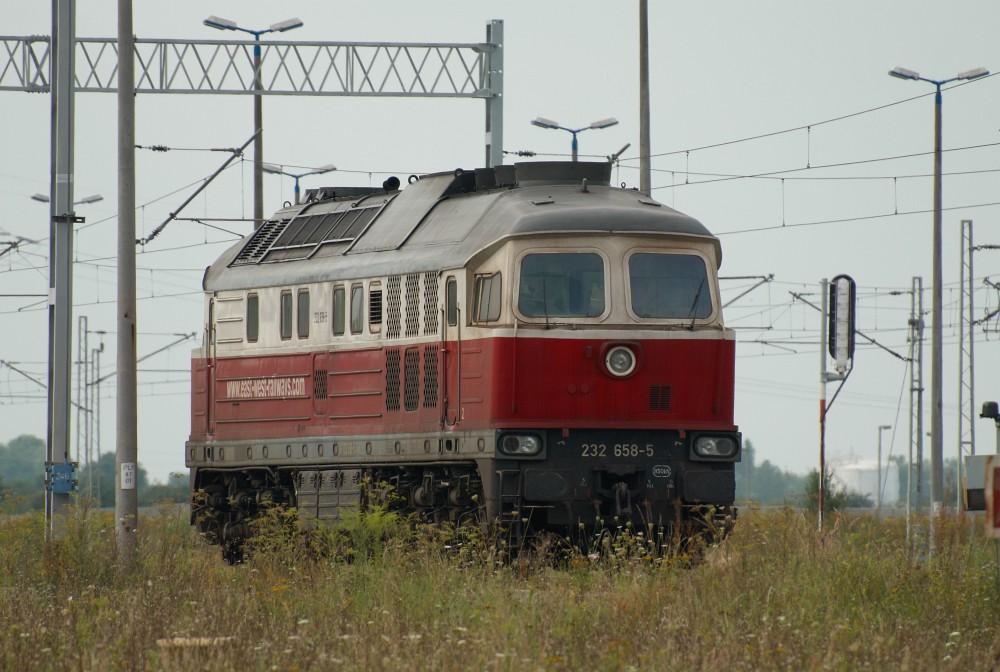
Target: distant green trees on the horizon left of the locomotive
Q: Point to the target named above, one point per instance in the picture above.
(22, 479)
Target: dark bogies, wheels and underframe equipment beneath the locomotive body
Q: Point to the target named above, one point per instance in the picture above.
(226, 501)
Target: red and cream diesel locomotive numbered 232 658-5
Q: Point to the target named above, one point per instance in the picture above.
(523, 344)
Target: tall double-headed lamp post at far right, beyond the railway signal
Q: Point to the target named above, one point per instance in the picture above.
(937, 432)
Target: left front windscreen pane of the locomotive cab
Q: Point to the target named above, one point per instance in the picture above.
(562, 284)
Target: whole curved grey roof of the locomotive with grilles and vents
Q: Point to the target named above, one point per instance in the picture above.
(439, 221)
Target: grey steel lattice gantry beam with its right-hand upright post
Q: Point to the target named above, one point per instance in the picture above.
(427, 70)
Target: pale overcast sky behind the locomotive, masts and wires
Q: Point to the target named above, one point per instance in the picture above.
(721, 71)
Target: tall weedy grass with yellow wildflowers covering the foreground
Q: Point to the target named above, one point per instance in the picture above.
(378, 594)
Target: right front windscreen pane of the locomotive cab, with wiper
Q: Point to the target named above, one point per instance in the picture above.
(669, 286)
